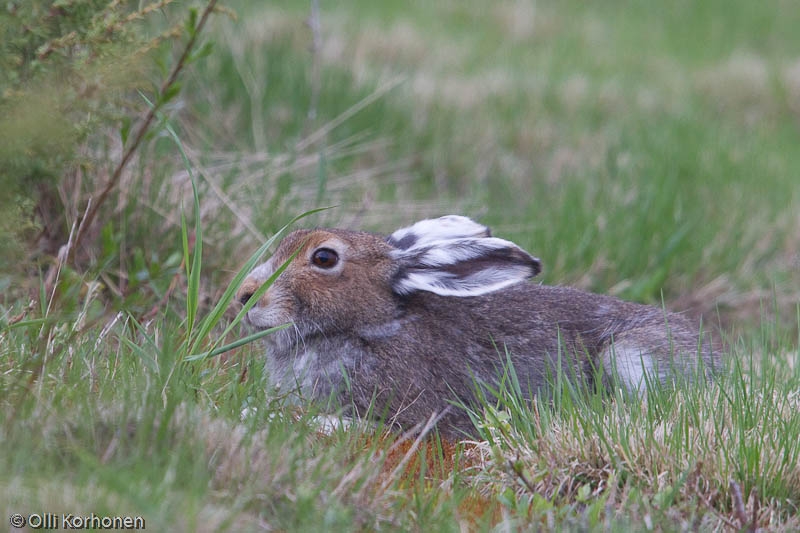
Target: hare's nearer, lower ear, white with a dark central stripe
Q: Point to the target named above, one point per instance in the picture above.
(462, 267)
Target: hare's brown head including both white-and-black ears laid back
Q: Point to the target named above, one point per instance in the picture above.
(339, 281)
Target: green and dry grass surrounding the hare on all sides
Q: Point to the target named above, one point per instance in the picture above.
(646, 152)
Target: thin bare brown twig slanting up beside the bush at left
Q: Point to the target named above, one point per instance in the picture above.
(134, 145)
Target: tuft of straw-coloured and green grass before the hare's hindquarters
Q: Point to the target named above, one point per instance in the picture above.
(690, 460)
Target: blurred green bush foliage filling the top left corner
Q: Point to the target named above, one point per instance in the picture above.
(69, 69)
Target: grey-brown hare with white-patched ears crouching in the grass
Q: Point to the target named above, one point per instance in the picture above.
(418, 321)
